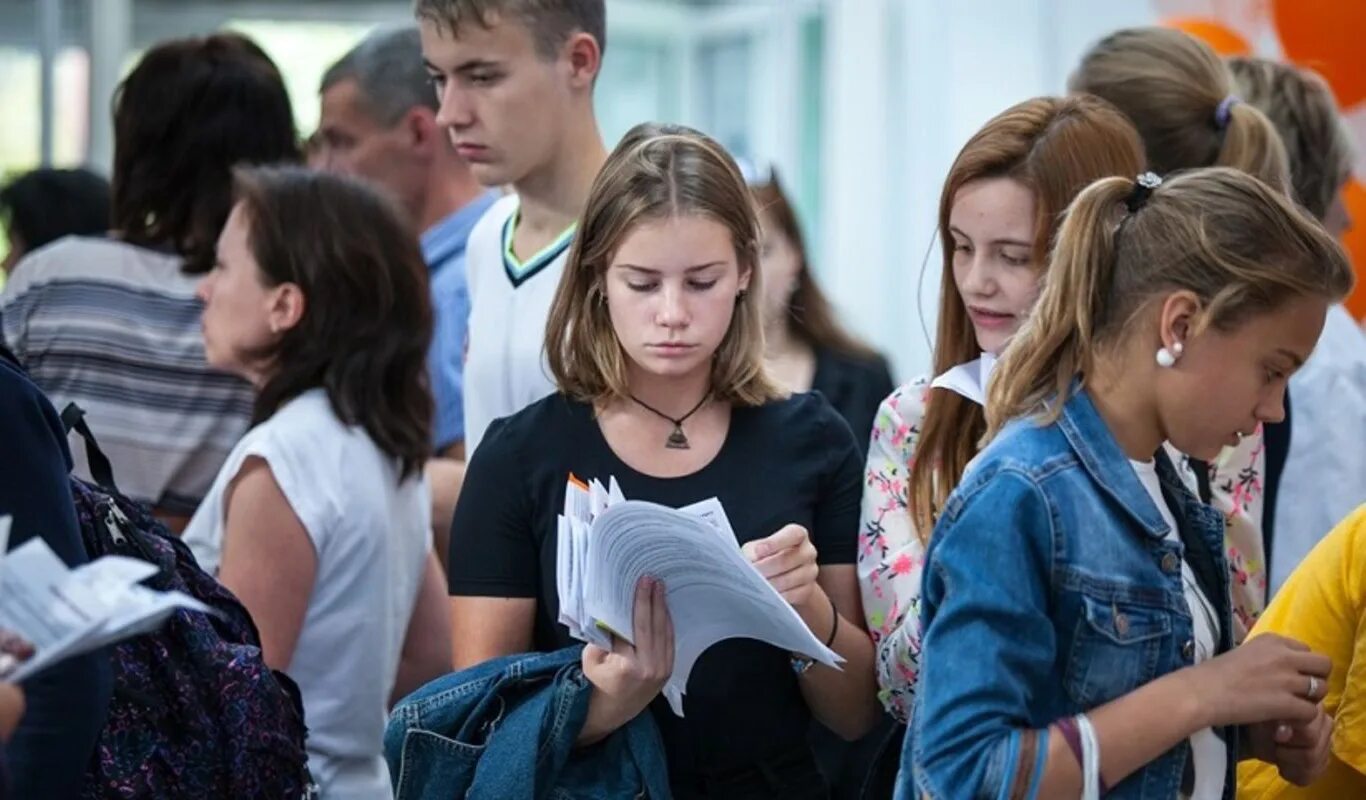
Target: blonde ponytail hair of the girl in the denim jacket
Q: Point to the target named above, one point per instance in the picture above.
(1240, 246)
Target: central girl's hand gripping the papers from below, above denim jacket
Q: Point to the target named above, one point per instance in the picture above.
(628, 678)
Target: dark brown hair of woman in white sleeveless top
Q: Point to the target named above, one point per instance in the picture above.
(368, 315)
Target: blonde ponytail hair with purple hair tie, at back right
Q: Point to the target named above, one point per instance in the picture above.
(1175, 89)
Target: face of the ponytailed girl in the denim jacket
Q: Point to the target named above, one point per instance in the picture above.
(1229, 383)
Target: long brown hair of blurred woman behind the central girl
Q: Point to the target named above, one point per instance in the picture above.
(809, 313)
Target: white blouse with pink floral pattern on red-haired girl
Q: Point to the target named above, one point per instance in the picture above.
(891, 556)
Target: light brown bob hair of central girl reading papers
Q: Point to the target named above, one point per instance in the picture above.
(659, 171)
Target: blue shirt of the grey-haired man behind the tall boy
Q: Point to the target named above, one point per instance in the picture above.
(443, 248)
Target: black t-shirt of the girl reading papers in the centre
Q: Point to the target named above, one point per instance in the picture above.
(792, 461)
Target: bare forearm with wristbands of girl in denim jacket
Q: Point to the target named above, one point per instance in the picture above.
(1132, 731)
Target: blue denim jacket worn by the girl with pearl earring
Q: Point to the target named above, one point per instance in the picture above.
(1050, 590)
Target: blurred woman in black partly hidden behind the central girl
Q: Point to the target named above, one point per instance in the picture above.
(807, 349)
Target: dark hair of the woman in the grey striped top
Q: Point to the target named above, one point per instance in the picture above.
(188, 114)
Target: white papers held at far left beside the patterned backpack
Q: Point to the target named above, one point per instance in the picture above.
(66, 612)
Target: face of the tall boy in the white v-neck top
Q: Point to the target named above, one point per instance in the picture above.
(505, 106)
